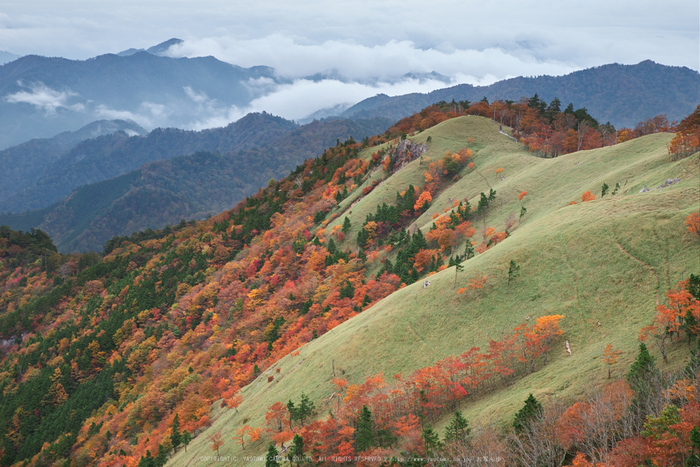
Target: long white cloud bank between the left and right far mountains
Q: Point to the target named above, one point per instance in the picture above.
(354, 61)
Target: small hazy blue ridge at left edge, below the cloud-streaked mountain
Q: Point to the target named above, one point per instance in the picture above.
(24, 164)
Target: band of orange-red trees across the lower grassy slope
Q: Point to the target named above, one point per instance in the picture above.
(400, 406)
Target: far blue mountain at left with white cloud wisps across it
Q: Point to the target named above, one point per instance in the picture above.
(41, 96)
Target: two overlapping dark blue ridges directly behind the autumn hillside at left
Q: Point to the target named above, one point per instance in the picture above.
(166, 188)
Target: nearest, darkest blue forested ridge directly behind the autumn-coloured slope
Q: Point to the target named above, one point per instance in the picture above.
(185, 187)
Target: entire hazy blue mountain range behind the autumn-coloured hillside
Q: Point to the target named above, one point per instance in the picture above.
(111, 177)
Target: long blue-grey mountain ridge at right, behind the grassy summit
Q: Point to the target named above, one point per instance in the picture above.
(620, 94)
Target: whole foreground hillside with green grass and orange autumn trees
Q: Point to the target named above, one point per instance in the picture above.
(351, 307)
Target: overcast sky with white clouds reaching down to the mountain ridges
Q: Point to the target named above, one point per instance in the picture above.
(373, 43)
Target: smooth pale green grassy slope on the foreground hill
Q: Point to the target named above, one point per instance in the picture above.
(602, 264)
